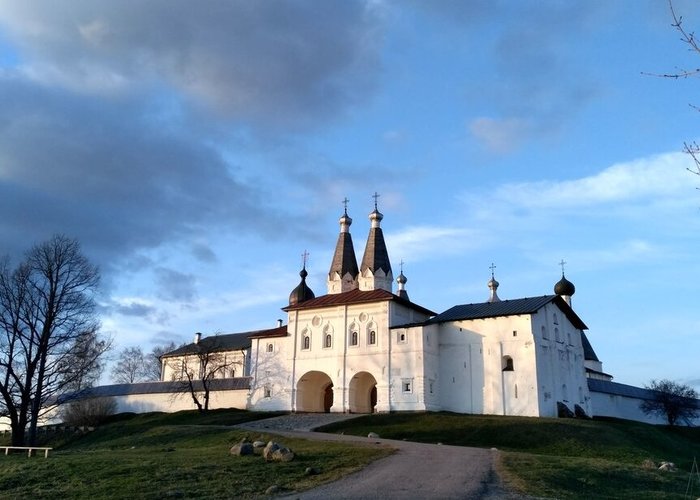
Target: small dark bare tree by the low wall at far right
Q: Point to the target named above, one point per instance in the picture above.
(673, 401)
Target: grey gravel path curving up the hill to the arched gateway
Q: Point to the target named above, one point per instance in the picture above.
(416, 470)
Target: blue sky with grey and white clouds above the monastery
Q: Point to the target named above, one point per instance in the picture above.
(197, 150)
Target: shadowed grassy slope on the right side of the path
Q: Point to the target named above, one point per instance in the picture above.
(556, 458)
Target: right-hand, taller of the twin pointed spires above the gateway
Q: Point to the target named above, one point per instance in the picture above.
(375, 271)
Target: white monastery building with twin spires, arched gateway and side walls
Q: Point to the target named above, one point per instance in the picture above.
(365, 347)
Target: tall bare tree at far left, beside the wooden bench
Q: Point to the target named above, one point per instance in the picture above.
(47, 318)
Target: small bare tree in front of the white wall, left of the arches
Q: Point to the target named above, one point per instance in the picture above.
(198, 366)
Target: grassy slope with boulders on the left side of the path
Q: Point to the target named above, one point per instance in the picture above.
(180, 455)
